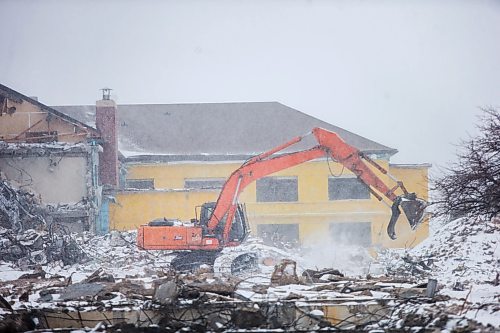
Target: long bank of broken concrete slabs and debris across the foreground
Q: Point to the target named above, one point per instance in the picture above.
(202, 302)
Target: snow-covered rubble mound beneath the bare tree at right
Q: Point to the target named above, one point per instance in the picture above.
(463, 255)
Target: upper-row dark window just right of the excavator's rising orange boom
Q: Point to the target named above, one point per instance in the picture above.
(277, 189)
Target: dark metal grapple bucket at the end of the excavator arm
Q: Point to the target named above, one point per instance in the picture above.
(414, 209)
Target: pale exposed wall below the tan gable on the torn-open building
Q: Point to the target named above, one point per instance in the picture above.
(61, 175)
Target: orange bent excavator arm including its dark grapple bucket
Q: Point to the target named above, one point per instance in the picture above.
(330, 145)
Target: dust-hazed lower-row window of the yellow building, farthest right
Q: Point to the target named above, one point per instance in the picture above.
(355, 233)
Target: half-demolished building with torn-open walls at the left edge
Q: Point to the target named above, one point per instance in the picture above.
(51, 156)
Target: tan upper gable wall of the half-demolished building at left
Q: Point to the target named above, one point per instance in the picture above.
(31, 118)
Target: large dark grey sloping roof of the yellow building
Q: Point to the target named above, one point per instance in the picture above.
(211, 130)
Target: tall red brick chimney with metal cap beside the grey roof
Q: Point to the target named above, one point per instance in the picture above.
(106, 123)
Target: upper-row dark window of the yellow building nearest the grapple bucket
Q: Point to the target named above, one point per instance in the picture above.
(347, 188)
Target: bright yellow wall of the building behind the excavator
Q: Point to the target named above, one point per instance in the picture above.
(313, 212)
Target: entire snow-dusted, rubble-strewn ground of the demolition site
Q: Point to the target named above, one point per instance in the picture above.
(55, 281)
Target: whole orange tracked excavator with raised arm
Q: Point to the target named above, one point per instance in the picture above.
(224, 223)
